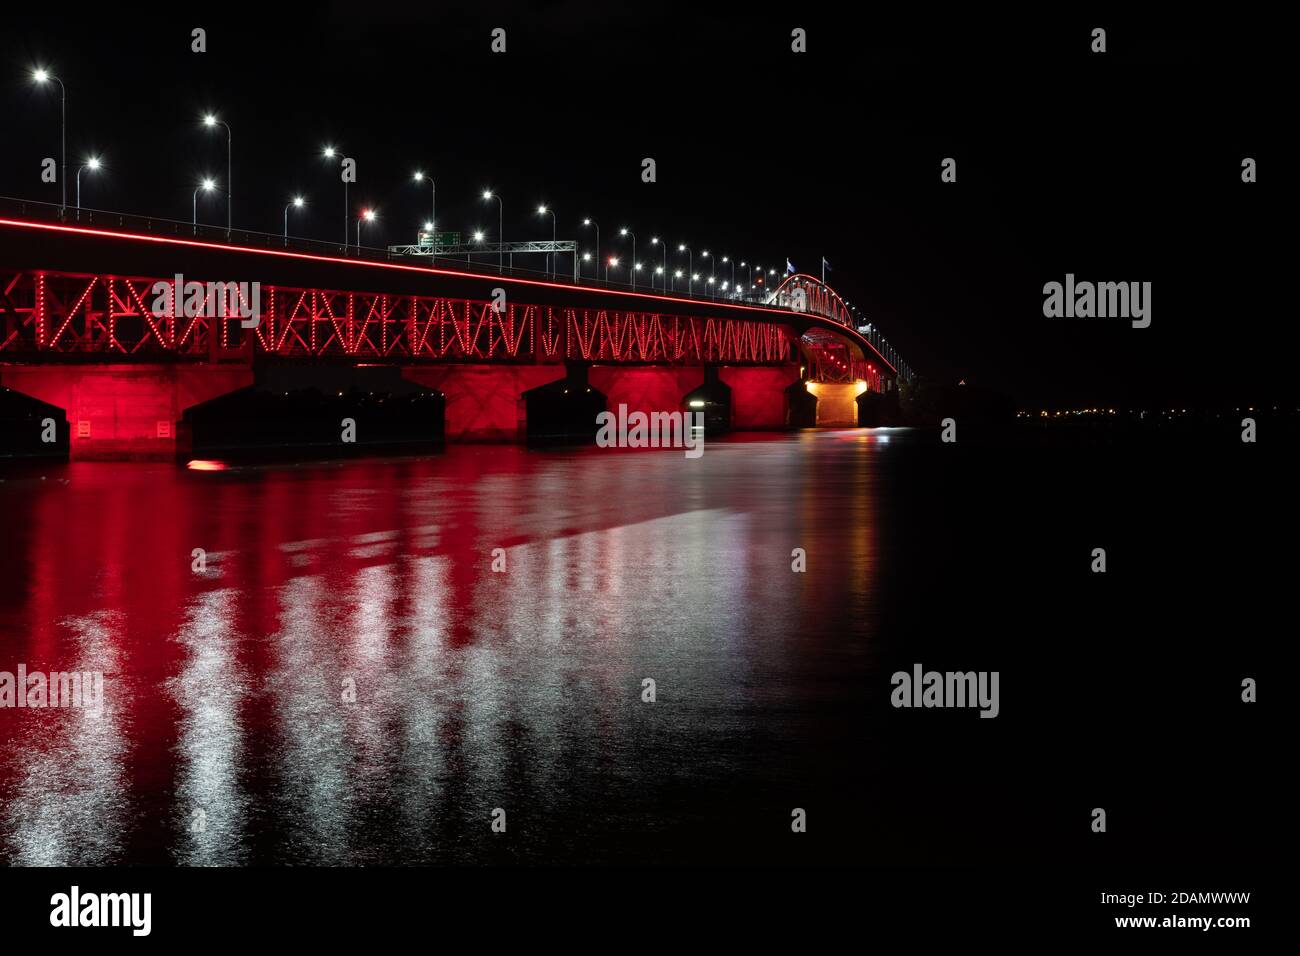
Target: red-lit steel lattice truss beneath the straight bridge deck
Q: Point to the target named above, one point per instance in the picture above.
(49, 315)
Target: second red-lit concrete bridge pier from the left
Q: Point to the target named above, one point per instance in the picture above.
(484, 403)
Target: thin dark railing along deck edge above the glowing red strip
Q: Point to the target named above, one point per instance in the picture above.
(154, 226)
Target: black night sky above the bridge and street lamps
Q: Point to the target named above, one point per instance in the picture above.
(1124, 167)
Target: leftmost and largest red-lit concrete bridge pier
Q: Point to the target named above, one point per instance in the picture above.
(124, 413)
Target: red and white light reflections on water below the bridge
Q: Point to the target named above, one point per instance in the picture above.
(232, 734)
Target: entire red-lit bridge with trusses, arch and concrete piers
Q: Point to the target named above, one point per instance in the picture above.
(127, 330)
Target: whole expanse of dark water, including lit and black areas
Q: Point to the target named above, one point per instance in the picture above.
(226, 738)
